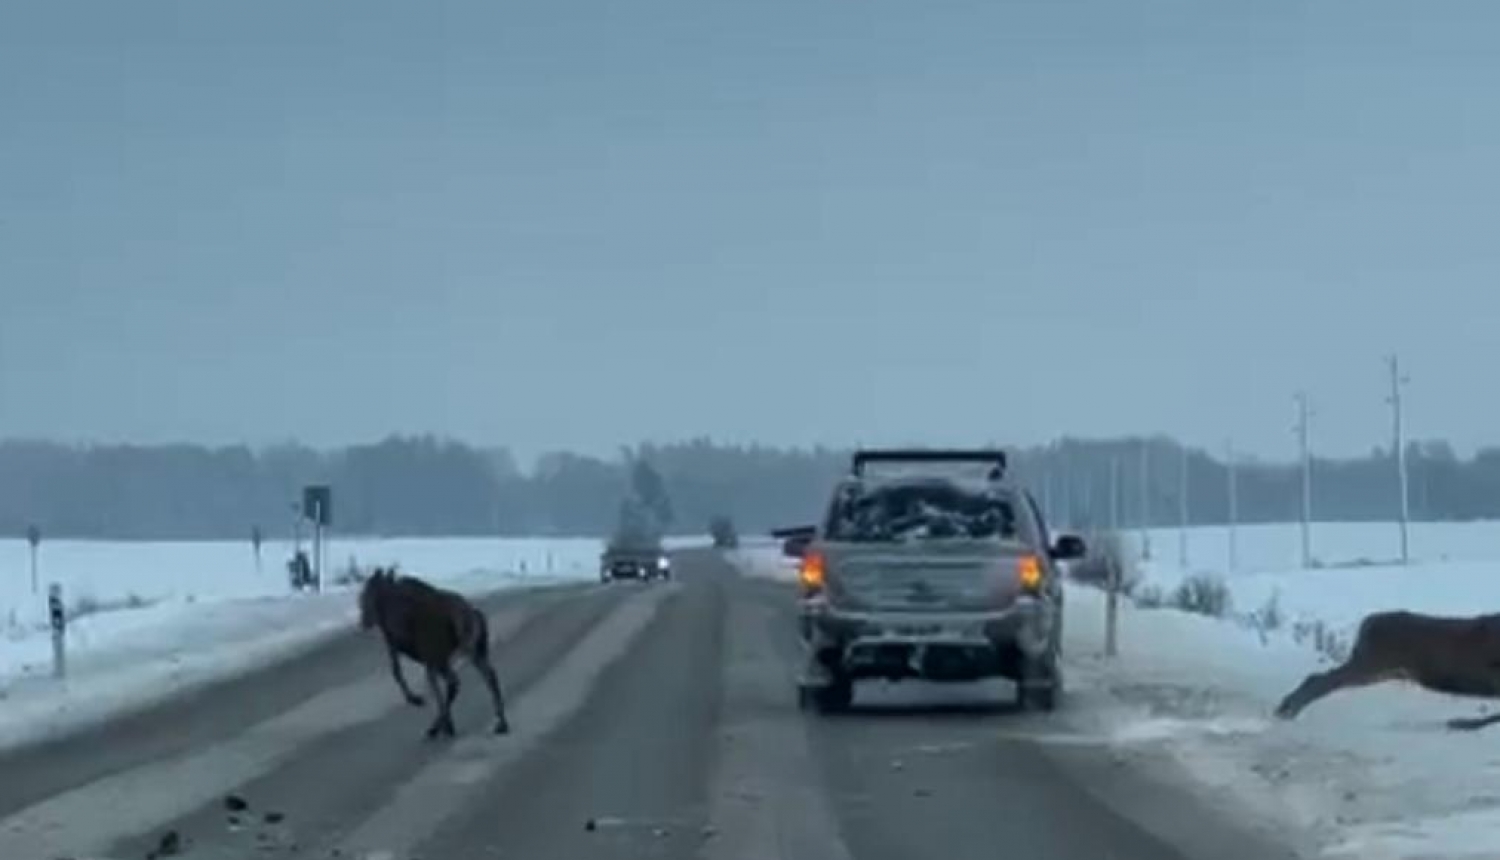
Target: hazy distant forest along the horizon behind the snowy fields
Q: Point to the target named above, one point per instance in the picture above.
(431, 487)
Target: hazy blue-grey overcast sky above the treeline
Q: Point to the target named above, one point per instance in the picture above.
(578, 224)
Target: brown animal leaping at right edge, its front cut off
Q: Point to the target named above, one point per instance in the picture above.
(1457, 657)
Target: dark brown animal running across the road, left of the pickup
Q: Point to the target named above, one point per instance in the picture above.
(431, 627)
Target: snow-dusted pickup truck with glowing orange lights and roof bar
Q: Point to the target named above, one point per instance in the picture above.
(931, 576)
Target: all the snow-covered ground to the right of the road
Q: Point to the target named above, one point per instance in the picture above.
(1369, 774)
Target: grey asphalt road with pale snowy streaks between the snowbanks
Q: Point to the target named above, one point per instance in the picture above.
(650, 723)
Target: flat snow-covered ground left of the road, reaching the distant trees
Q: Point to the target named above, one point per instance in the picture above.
(154, 619)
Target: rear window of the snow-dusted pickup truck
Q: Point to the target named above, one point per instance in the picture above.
(922, 511)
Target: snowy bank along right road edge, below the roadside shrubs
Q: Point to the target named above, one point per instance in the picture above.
(1367, 774)
